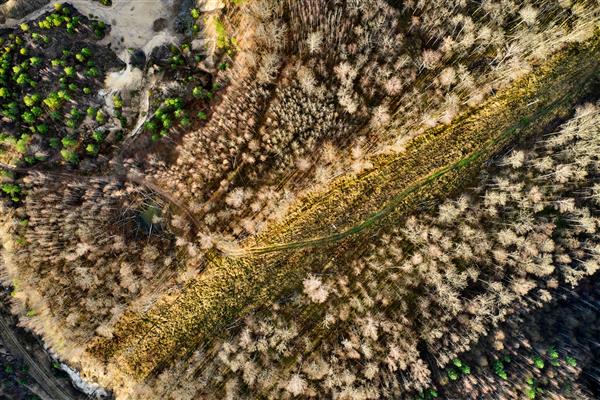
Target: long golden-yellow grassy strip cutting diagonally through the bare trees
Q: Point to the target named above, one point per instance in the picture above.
(433, 165)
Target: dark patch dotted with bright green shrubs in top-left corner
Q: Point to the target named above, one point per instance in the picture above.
(50, 72)
